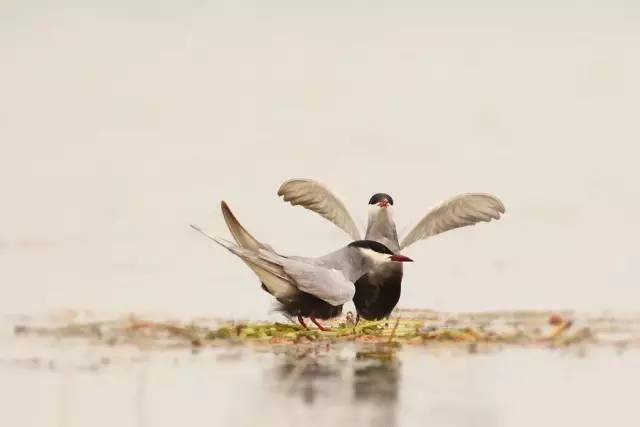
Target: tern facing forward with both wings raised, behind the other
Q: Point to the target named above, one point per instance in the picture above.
(378, 292)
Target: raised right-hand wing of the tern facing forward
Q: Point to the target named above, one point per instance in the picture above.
(459, 211)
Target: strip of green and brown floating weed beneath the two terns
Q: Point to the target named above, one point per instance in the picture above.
(409, 327)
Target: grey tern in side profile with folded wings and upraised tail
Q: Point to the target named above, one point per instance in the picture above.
(306, 287)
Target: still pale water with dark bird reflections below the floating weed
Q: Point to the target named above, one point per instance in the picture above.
(73, 383)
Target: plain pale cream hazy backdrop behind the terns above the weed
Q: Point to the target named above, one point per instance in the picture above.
(123, 122)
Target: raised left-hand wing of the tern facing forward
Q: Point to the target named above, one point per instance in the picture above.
(316, 197)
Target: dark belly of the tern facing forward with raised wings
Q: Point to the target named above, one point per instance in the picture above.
(378, 293)
